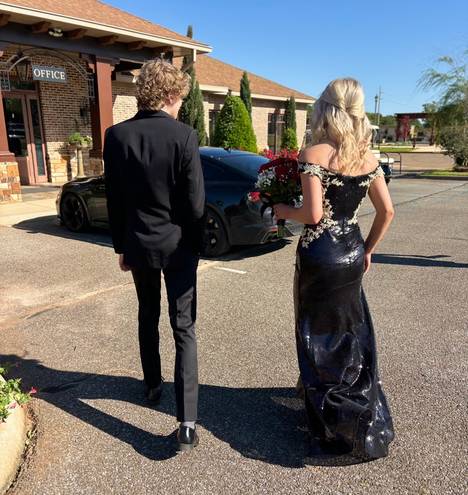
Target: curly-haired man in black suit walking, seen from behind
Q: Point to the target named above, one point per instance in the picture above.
(155, 200)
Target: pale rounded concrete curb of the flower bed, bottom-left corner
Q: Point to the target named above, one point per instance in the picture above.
(12, 441)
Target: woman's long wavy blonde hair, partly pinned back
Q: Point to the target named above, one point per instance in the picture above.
(339, 116)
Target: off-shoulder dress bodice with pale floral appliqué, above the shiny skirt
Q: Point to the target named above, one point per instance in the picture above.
(342, 195)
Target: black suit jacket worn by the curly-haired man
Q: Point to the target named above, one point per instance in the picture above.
(154, 187)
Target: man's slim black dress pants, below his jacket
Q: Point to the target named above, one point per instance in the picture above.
(180, 276)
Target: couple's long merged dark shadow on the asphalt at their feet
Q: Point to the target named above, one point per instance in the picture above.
(265, 424)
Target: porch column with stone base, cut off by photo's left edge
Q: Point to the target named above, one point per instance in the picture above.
(10, 188)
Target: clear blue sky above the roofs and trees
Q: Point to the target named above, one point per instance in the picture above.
(304, 44)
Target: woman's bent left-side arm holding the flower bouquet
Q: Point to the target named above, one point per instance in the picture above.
(311, 211)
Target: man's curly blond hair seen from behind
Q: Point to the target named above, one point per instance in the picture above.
(157, 81)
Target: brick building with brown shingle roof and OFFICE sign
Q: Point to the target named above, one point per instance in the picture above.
(66, 66)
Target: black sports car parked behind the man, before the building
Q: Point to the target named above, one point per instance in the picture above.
(233, 213)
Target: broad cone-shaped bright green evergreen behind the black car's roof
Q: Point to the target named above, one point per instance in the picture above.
(233, 126)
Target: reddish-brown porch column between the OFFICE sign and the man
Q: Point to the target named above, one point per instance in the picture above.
(101, 110)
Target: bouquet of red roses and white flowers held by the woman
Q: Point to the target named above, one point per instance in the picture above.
(278, 182)
